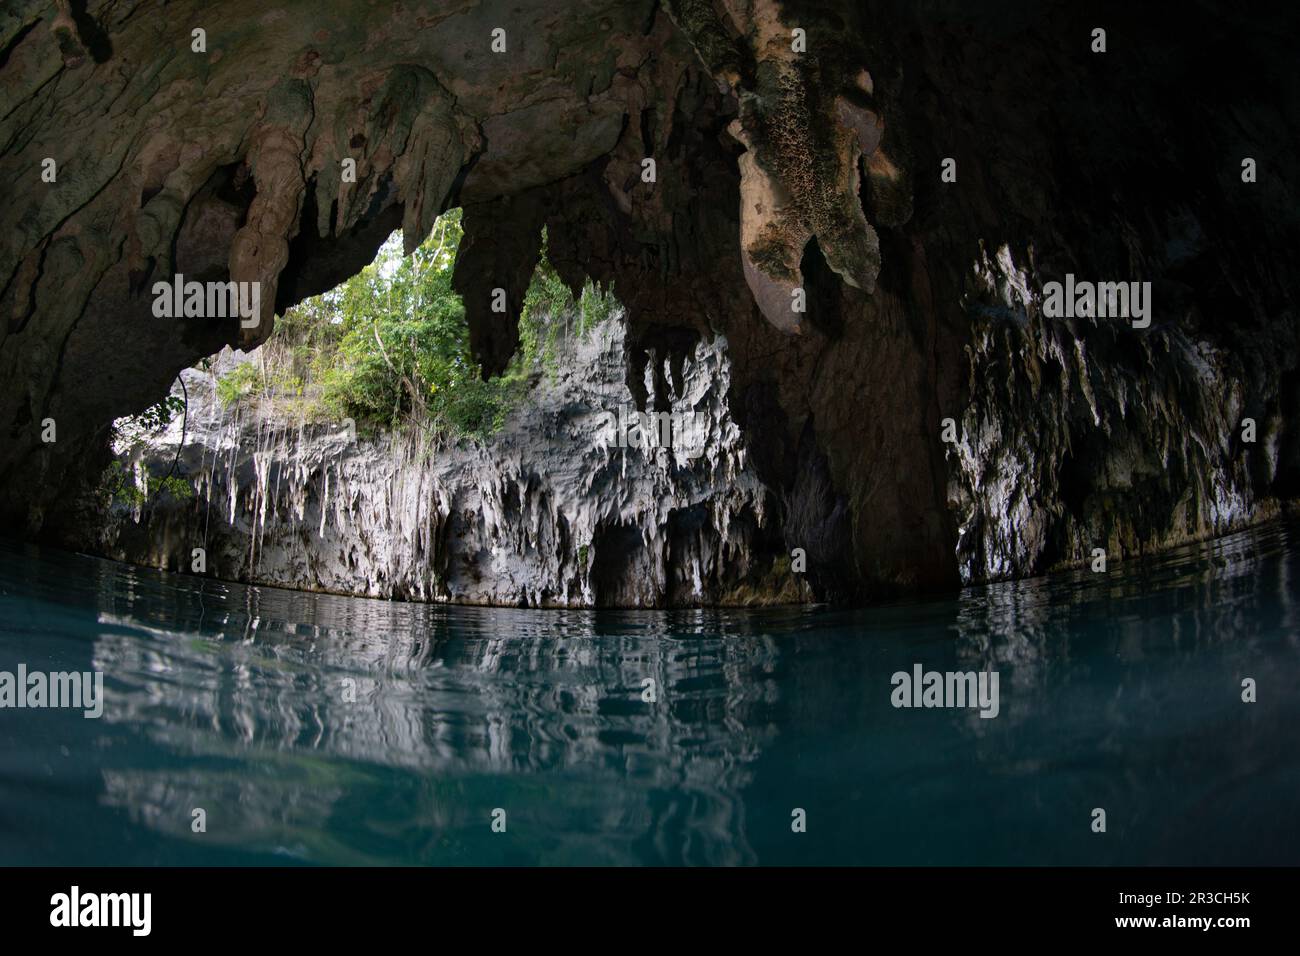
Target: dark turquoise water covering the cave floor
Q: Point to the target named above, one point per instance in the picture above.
(1119, 691)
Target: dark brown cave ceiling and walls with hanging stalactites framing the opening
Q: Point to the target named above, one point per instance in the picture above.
(798, 146)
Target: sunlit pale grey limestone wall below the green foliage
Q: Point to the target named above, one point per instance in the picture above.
(545, 514)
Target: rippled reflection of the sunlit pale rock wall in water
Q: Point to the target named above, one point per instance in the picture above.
(447, 725)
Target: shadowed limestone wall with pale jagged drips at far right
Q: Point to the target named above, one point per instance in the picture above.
(1089, 434)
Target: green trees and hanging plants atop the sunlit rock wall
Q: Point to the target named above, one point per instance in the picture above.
(391, 347)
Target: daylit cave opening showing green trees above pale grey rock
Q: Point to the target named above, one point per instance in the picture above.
(359, 449)
